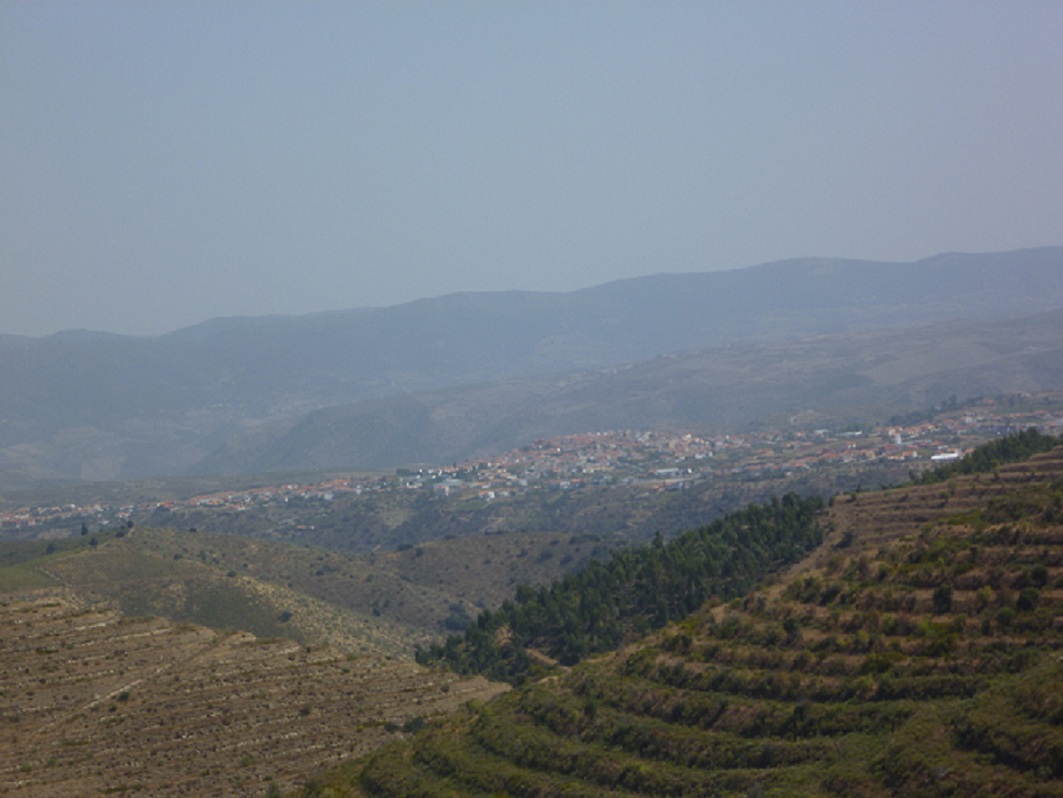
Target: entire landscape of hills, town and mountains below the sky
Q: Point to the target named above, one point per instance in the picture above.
(766, 533)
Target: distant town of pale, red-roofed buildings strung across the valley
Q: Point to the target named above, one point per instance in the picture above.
(655, 461)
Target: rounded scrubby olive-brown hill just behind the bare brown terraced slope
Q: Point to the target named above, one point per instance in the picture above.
(386, 601)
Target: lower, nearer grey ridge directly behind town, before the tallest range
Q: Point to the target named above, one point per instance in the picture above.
(855, 378)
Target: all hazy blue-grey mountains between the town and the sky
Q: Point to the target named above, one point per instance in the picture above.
(390, 386)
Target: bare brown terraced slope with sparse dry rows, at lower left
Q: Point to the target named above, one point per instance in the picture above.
(96, 704)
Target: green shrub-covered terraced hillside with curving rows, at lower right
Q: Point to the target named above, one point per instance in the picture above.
(919, 653)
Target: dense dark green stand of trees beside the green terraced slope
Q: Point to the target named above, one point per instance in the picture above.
(637, 590)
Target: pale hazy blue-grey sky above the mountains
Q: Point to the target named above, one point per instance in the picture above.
(164, 163)
